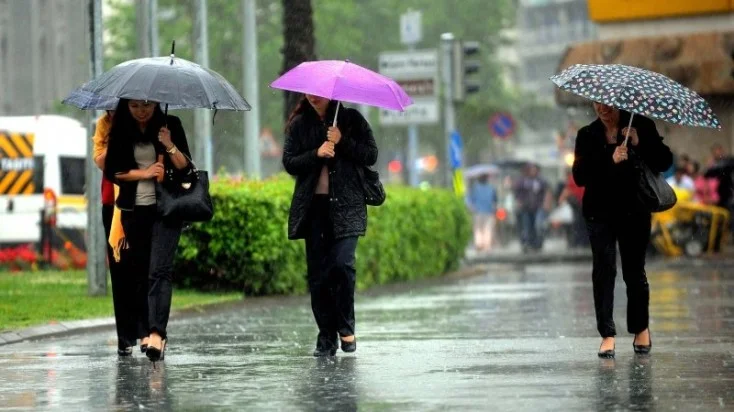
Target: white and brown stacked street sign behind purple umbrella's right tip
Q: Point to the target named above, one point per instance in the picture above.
(417, 73)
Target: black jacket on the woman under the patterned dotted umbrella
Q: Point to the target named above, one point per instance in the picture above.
(611, 188)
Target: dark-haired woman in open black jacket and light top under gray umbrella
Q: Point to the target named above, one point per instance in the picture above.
(145, 145)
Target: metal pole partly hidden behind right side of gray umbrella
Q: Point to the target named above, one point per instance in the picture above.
(202, 117)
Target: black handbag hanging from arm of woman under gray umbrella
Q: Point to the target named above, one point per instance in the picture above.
(185, 198)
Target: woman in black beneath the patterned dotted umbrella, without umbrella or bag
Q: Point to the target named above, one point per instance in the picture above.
(614, 215)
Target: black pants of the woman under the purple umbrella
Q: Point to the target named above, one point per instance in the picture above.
(331, 275)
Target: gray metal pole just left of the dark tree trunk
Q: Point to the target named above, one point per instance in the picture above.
(249, 63)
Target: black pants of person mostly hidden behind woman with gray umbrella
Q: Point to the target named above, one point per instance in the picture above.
(123, 290)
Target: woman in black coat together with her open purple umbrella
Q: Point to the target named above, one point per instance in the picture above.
(331, 165)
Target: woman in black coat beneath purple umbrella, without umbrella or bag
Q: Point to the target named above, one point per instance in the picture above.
(328, 209)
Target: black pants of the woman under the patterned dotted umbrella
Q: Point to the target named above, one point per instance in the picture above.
(633, 234)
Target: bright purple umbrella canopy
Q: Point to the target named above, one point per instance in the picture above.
(344, 81)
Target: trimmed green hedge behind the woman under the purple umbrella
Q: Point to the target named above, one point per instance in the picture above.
(415, 234)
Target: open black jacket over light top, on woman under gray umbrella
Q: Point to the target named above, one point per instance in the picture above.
(121, 158)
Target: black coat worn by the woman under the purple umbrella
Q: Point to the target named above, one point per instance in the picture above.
(357, 148)
